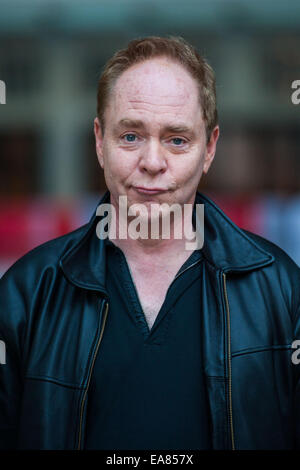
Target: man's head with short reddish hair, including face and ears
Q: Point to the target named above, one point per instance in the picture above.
(157, 121)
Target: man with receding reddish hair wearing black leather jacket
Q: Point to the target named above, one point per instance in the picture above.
(139, 343)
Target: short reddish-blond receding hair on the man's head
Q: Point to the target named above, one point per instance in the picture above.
(175, 48)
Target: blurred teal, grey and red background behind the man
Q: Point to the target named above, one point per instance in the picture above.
(51, 55)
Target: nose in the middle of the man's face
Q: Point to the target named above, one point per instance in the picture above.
(153, 160)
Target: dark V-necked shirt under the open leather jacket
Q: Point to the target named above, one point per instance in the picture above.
(147, 389)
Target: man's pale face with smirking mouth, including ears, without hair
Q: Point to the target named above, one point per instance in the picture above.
(154, 146)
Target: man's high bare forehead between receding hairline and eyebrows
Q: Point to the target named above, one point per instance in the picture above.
(159, 84)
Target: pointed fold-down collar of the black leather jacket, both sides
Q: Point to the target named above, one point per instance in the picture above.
(226, 247)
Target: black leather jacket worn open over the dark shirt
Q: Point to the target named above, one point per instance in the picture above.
(53, 310)
